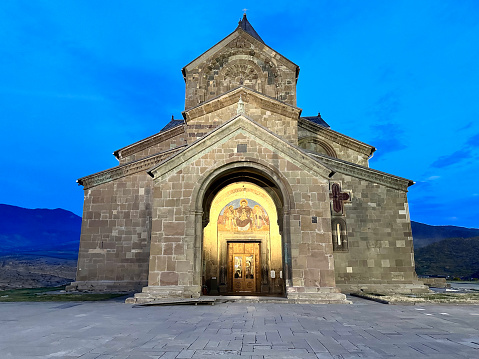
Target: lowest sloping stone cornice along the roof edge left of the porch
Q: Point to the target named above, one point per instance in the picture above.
(127, 169)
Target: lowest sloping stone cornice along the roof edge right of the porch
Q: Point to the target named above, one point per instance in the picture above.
(365, 173)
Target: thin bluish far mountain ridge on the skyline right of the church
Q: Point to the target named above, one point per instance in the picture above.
(425, 234)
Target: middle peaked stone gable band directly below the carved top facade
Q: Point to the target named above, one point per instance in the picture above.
(248, 96)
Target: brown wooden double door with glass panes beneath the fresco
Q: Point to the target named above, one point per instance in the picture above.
(244, 266)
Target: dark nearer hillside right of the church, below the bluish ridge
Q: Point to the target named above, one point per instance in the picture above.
(454, 257)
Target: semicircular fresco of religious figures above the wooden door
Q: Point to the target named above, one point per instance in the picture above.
(242, 215)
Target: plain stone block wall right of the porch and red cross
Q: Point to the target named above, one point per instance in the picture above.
(380, 248)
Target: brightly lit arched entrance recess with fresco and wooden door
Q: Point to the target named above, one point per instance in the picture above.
(242, 246)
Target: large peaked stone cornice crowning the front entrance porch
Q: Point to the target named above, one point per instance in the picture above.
(245, 125)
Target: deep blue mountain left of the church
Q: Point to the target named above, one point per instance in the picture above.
(34, 230)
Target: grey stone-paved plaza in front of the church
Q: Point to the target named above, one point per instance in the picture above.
(104, 330)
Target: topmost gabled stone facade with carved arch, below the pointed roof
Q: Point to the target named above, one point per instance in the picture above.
(238, 60)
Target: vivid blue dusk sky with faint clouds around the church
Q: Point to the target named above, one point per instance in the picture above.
(80, 79)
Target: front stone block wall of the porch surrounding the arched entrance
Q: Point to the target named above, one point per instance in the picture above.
(174, 248)
